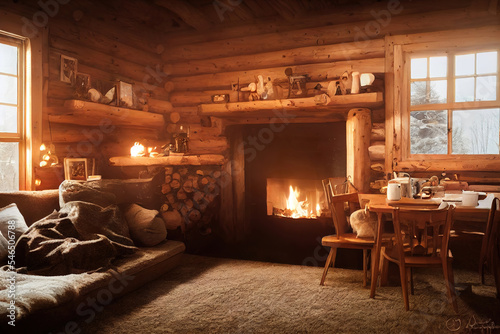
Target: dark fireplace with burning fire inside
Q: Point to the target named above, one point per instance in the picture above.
(298, 157)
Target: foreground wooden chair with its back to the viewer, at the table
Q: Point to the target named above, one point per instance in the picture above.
(421, 240)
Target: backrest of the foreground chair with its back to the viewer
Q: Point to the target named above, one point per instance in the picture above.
(425, 232)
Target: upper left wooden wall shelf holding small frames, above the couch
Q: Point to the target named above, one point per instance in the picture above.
(93, 114)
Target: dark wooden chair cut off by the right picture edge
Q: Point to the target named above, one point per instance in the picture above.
(489, 238)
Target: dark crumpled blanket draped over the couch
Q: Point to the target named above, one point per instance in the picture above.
(81, 237)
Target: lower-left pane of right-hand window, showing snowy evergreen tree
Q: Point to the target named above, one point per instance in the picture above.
(429, 132)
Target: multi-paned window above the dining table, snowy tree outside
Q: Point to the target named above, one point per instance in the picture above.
(454, 103)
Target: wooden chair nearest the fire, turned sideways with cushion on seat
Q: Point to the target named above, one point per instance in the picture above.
(339, 204)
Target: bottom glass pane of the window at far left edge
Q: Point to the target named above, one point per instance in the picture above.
(9, 166)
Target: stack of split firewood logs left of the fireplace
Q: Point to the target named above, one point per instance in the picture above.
(191, 198)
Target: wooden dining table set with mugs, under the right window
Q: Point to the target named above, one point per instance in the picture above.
(379, 204)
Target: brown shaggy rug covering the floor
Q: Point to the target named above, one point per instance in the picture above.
(217, 295)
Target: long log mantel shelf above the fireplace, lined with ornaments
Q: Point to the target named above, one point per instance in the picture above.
(321, 103)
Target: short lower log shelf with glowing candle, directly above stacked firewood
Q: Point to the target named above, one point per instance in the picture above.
(194, 160)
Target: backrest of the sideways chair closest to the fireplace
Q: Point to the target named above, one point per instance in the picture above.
(341, 206)
